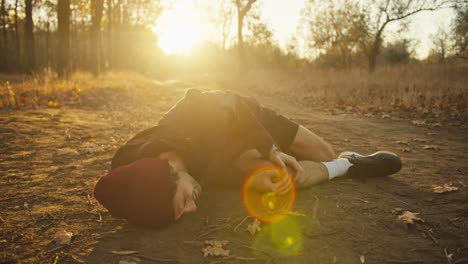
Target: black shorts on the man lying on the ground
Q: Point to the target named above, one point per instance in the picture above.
(282, 129)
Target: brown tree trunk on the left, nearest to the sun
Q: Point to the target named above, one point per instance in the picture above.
(97, 7)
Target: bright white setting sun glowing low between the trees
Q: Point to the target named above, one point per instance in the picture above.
(179, 29)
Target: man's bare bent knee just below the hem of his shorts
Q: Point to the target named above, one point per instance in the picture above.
(308, 146)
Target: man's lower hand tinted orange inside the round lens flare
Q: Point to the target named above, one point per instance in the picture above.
(272, 180)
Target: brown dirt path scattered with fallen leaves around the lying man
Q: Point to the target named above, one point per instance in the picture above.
(343, 221)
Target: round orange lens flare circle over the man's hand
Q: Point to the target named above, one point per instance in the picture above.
(268, 207)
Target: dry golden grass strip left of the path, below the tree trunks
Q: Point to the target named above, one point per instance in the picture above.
(46, 89)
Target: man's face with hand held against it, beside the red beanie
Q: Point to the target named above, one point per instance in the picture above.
(186, 193)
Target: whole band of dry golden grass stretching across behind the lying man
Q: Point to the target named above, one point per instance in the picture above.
(436, 93)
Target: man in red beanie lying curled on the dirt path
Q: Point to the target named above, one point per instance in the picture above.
(218, 137)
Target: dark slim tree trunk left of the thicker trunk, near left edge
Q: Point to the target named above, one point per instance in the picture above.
(29, 37)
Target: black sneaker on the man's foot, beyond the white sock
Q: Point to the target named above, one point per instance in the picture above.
(378, 164)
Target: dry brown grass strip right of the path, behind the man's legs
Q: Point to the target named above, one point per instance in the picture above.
(411, 90)
